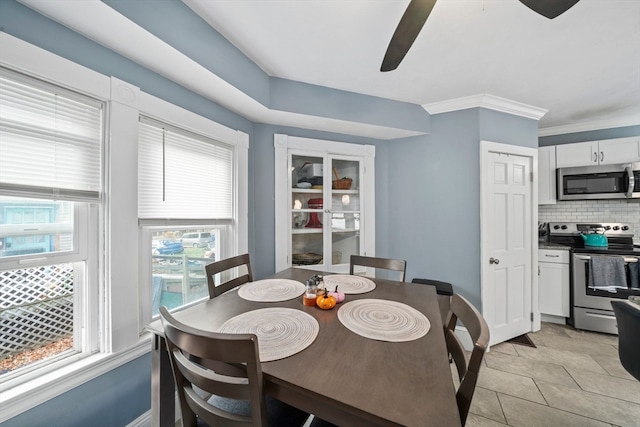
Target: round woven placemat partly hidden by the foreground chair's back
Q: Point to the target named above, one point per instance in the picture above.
(281, 332)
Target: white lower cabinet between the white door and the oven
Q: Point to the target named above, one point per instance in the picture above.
(553, 284)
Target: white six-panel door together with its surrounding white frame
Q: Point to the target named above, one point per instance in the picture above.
(508, 213)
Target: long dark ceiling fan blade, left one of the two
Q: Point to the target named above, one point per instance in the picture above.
(410, 25)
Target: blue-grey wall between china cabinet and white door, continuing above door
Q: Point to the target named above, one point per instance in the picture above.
(434, 195)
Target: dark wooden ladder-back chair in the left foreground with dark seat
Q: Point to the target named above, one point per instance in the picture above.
(231, 397)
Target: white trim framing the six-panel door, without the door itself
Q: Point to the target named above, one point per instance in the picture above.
(486, 148)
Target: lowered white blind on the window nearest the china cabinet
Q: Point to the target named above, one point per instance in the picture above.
(182, 175)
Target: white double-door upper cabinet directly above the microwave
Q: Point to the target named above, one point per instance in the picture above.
(611, 151)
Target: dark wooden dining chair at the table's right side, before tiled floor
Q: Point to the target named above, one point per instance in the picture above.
(476, 326)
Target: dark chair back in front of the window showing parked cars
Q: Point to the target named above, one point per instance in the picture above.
(232, 272)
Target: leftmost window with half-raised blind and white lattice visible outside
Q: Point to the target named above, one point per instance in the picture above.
(50, 187)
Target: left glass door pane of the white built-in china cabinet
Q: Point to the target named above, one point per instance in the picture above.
(307, 210)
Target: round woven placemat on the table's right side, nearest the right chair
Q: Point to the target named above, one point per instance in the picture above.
(383, 320)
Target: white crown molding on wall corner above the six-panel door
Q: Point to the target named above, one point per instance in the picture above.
(485, 100)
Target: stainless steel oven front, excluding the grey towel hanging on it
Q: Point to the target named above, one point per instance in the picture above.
(592, 302)
